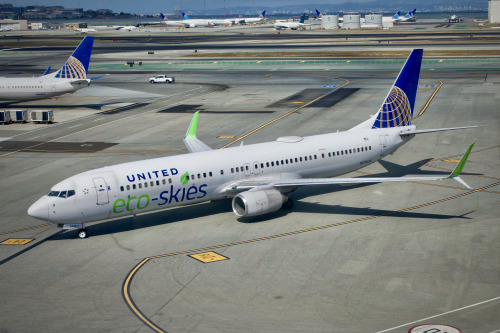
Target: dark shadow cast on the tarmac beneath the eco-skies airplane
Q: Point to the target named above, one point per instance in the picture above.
(186, 213)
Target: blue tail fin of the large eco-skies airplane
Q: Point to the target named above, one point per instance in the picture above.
(397, 109)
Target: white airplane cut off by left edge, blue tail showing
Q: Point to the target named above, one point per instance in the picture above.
(71, 77)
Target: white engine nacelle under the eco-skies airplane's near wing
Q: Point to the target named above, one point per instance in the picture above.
(258, 202)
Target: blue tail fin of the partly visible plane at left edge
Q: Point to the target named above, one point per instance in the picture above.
(77, 65)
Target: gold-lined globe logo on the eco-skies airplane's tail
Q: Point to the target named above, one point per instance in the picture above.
(395, 111)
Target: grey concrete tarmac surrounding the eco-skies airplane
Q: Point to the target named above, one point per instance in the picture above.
(370, 258)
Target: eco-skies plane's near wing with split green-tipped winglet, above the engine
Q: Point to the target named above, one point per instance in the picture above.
(242, 186)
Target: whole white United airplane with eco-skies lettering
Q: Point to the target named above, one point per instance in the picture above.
(257, 177)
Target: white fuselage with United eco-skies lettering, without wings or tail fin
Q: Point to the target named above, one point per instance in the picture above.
(154, 184)
